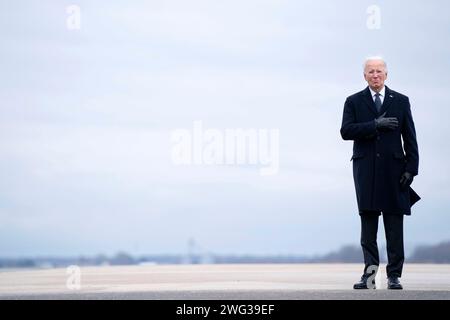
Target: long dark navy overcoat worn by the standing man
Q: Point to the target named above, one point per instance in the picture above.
(379, 157)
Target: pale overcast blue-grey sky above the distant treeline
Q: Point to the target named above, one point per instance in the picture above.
(86, 117)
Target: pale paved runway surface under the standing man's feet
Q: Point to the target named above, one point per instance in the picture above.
(219, 282)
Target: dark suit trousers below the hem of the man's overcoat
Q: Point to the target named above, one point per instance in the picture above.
(393, 226)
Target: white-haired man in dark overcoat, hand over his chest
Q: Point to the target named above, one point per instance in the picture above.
(377, 119)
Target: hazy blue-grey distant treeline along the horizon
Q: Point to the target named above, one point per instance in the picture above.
(439, 253)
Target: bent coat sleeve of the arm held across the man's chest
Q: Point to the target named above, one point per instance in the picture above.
(352, 130)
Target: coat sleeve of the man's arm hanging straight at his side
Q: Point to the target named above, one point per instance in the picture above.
(410, 142)
